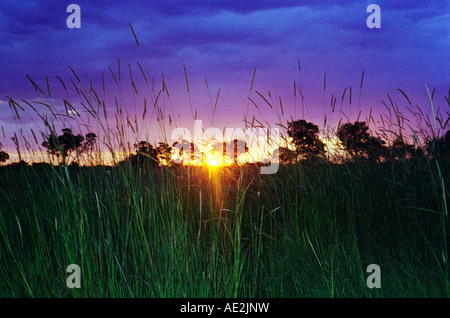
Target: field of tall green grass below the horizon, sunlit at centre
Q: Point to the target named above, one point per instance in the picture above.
(306, 231)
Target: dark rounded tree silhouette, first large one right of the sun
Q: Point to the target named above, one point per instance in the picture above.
(306, 140)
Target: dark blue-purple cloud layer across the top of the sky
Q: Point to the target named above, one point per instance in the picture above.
(227, 37)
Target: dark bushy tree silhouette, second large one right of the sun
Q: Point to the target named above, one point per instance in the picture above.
(359, 143)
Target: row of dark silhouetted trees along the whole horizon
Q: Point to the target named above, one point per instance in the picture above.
(356, 140)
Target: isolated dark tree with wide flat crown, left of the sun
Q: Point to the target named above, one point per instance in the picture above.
(65, 144)
